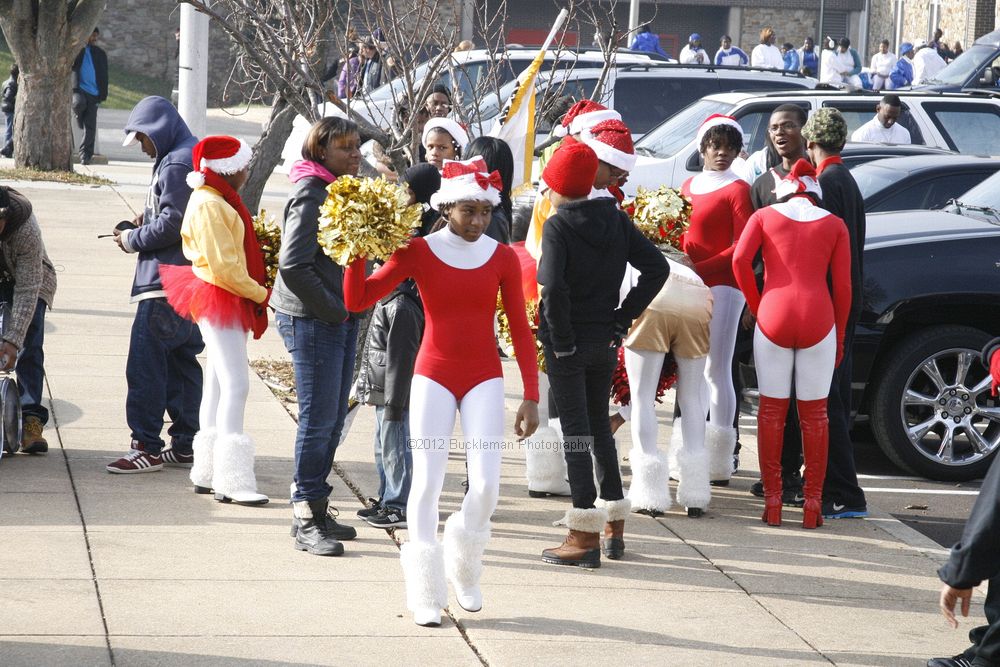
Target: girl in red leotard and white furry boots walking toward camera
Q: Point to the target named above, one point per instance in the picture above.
(458, 272)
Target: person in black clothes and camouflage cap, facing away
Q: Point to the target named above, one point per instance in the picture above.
(825, 134)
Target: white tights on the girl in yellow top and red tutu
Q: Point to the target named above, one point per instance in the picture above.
(227, 379)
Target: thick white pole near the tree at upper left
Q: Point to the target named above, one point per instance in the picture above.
(192, 80)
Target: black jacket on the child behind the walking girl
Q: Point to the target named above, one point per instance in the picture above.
(390, 351)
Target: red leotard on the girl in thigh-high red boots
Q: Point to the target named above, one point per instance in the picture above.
(796, 310)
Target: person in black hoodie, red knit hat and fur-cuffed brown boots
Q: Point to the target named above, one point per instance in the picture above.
(585, 247)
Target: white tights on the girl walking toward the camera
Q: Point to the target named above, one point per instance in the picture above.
(432, 421)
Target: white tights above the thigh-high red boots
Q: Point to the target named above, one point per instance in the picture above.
(812, 367)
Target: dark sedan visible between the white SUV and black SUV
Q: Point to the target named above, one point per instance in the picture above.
(922, 182)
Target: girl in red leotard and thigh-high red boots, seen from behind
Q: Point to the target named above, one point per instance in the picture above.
(800, 327)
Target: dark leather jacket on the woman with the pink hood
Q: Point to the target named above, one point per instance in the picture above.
(309, 283)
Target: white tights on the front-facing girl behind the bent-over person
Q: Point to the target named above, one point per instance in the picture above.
(719, 395)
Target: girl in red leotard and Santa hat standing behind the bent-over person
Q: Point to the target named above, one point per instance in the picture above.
(720, 206)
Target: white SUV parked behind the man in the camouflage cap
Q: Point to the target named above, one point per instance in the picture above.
(968, 124)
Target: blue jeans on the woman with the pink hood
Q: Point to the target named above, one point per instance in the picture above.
(323, 360)
